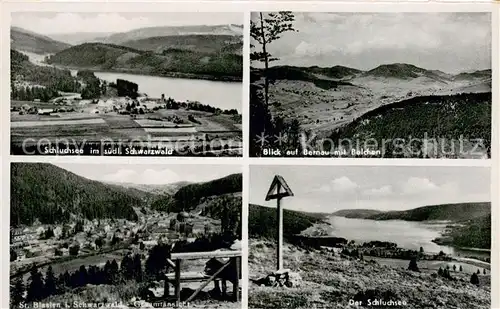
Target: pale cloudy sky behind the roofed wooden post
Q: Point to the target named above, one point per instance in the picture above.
(332, 188)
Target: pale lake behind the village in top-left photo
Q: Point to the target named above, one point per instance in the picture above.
(224, 95)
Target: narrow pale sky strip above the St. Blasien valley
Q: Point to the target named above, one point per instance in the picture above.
(151, 174)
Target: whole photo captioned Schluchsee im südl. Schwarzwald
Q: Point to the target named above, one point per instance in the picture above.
(126, 84)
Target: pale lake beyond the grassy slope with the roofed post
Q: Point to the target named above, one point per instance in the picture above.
(408, 235)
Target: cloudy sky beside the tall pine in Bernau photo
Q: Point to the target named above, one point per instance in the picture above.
(450, 42)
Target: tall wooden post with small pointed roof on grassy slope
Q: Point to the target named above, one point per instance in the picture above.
(278, 190)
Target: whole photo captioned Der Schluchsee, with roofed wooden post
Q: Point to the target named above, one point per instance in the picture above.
(369, 236)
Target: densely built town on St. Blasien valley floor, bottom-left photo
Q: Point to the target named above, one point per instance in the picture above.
(44, 245)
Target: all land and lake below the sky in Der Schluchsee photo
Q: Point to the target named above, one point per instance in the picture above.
(341, 260)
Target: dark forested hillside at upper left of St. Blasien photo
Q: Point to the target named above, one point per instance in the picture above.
(51, 194)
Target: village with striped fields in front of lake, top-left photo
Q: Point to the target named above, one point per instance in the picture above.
(126, 117)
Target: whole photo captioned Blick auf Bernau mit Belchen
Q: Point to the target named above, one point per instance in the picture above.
(371, 85)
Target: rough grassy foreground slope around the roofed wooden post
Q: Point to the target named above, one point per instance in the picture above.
(332, 281)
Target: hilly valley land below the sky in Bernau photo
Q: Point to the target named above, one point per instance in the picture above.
(389, 102)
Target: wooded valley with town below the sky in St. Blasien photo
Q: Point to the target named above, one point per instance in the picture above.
(64, 225)
